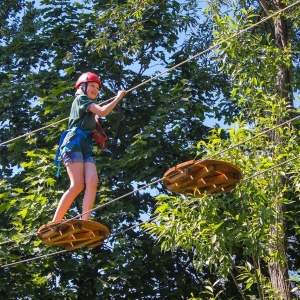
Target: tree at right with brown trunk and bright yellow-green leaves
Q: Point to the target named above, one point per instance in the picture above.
(247, 233)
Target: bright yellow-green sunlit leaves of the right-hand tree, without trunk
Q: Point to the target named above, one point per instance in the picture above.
(252, 210)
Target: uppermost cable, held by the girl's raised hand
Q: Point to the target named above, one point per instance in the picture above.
(172, 68)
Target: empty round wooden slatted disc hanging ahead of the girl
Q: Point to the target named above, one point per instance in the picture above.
(208, 176)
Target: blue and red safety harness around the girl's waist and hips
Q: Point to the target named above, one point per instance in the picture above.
(98, 135)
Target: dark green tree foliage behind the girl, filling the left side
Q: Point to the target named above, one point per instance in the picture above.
(44, 49)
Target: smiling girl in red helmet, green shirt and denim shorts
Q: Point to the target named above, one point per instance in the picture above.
(76, 147)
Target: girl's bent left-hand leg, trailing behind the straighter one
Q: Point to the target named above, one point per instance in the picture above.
(76, 175)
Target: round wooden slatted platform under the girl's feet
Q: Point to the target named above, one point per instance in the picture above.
(73, 234)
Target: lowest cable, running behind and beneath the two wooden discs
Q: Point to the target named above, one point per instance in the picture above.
(136, 225)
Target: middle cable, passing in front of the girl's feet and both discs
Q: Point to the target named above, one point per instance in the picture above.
(160, 179)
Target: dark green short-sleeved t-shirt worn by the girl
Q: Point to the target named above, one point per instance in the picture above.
(81, 118)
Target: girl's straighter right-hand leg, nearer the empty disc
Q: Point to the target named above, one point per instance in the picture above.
(91, 182)
